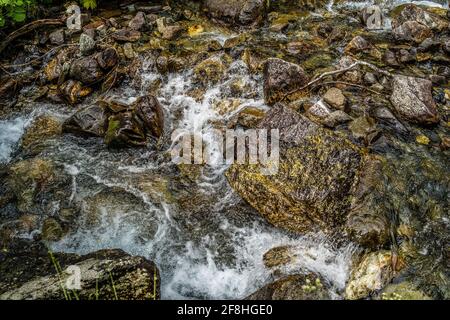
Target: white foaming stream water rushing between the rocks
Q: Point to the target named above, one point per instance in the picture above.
(206, 242)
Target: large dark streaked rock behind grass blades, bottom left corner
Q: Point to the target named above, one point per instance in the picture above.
(105, 275)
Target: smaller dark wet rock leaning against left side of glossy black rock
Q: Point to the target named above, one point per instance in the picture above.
(90, 121)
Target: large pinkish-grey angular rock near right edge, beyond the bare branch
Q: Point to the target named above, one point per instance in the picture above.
(413, 101)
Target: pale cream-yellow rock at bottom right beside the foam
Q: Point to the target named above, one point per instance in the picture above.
(373, 273)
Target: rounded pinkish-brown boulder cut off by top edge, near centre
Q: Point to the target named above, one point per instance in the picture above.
(241, 12)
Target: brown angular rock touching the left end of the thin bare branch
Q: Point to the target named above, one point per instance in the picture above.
(280, 78)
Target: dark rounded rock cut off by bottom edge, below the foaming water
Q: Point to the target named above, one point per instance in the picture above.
(296, 287)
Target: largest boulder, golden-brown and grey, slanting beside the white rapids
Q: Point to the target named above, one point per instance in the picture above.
(316, 172)
